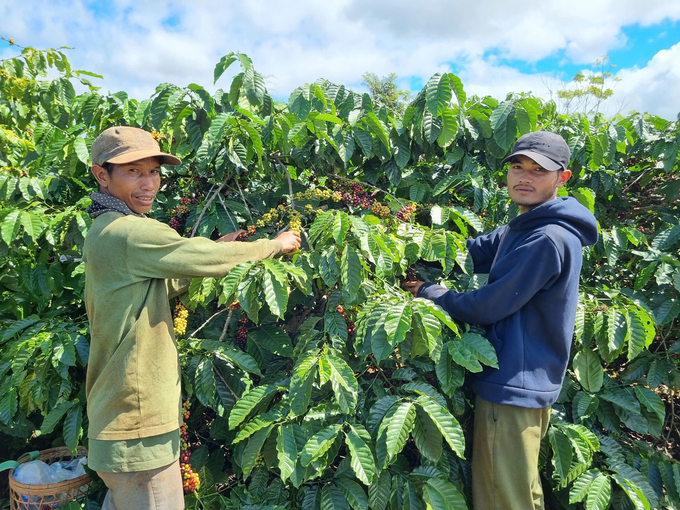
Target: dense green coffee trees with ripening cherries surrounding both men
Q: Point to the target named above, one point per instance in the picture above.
(316, 381)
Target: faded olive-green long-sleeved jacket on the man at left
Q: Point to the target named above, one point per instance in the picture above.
(133, 266)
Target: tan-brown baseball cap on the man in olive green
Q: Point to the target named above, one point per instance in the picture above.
(124, 144)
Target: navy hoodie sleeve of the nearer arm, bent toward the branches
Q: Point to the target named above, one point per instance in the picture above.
(523, 272)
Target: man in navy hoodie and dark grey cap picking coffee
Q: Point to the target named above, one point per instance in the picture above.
(528, 307)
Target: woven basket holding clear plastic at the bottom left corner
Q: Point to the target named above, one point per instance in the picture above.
(45, 497)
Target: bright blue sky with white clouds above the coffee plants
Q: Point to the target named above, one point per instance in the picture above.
(495, 46)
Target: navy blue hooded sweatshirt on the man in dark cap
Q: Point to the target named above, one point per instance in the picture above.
(529, 302)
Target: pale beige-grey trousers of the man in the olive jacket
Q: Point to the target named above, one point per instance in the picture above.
(155, 489)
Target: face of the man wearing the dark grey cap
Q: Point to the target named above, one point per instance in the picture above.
(530, 185)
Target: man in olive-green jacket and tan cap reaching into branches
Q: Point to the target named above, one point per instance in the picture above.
(134, 265)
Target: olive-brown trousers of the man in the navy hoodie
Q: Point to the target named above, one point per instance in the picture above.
(505, 448)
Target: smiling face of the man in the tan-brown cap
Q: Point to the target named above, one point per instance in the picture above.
(134, 183)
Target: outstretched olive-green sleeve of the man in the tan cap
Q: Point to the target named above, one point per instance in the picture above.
(154, 250)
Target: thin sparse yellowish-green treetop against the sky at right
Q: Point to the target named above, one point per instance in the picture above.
(587, 93)
